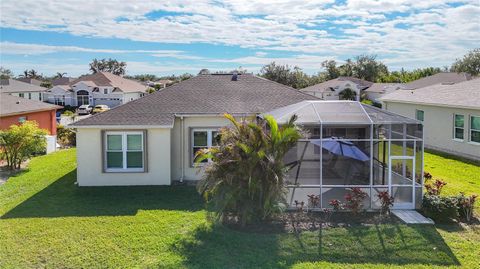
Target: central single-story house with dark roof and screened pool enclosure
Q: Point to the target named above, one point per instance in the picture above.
(153, 140)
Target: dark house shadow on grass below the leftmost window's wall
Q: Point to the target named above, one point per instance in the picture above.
(63, 198)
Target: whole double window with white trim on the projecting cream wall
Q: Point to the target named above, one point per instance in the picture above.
(124, 151)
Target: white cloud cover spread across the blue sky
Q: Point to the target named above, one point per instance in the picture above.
(432, 30)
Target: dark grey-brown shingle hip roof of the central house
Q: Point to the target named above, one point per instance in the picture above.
(204, 94)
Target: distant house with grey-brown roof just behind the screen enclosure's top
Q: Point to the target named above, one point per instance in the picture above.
(330, 90)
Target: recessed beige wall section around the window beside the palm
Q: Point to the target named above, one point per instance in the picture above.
(206, 122)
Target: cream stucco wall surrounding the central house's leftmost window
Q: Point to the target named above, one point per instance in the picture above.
(89, 161)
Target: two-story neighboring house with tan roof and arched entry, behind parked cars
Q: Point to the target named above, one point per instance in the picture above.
(101, 88)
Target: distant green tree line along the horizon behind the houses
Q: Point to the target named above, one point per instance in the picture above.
(364, 66)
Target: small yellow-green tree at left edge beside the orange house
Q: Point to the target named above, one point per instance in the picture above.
(20, 142)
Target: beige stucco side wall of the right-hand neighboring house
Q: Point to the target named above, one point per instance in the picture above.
(438, 127)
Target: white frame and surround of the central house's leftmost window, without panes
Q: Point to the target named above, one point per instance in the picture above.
(124, 151)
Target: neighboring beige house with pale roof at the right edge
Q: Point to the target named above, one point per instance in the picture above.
(451, 115)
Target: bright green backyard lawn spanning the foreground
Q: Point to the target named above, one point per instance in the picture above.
(48, 222)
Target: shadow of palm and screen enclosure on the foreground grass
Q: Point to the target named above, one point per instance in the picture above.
(220, 247)
